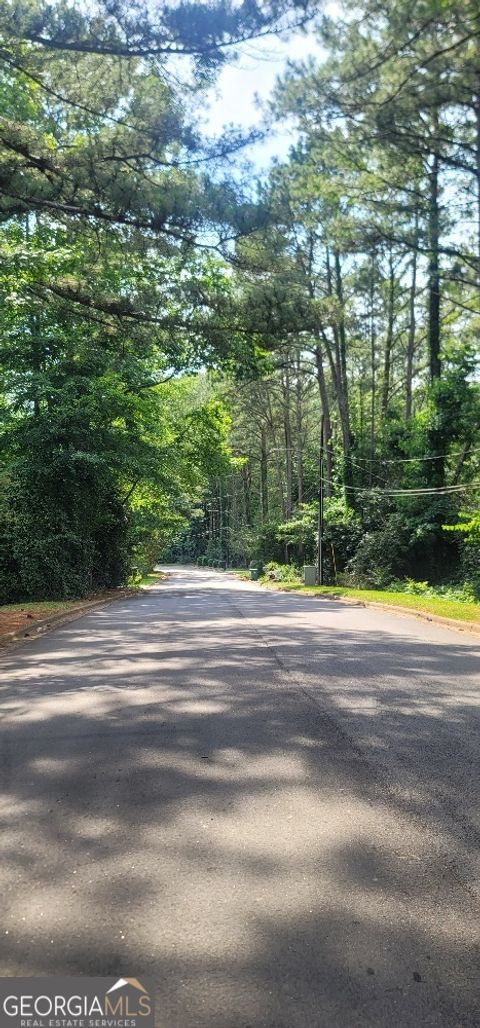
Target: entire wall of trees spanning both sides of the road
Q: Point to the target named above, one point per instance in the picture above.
(189, 358)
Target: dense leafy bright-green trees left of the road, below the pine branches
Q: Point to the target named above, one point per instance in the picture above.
(101, 475)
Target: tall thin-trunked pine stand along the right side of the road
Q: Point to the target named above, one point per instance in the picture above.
(367, 271)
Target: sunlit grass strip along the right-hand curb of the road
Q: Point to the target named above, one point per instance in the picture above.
(459, 610)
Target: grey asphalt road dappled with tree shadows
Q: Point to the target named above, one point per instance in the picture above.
(270, 804)
